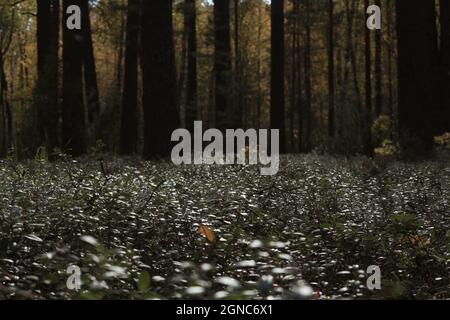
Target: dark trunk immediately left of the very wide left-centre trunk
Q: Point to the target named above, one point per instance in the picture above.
(129, 117)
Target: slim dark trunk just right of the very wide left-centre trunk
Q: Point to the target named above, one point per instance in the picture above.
(190, 25)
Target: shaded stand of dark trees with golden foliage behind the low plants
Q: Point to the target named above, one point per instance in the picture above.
(137, 71)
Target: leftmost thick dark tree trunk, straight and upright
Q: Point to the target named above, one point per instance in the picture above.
(47, 108)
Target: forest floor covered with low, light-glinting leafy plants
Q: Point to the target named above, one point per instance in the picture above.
(153, 230)
